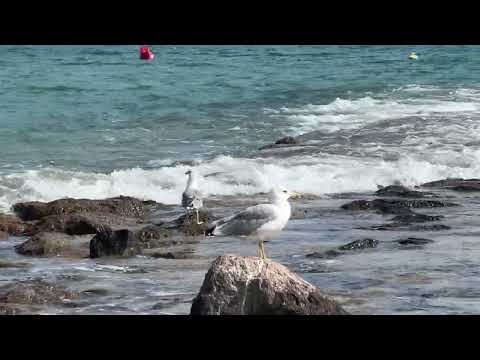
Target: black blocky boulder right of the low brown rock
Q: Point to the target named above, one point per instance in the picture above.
(110, 242)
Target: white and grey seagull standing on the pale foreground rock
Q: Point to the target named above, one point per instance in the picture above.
(260, 222)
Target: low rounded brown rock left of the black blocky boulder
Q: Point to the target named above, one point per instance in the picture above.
(45, 244)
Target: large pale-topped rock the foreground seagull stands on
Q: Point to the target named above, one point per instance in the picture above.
(250, 286)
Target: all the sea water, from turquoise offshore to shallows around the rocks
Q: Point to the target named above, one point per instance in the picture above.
(95, 122)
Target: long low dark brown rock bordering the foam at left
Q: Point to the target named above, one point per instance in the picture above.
(123, 206)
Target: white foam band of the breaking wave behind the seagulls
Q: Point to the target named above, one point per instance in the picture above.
(238, 176)
